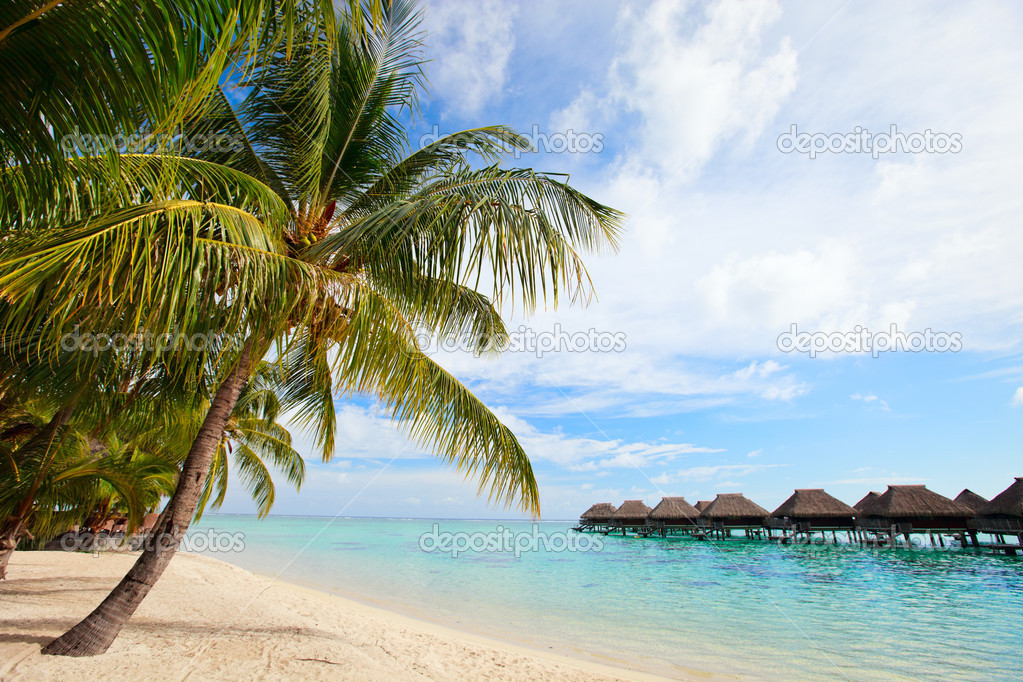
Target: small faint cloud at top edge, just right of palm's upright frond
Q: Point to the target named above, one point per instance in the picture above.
(470, 47)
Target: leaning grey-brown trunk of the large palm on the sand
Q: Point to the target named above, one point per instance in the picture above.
(101, 628)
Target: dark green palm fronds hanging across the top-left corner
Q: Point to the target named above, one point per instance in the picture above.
(95, 69)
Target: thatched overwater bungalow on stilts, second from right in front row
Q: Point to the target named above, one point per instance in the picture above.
(908, 510)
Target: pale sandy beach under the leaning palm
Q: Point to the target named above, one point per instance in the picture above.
(210, 620)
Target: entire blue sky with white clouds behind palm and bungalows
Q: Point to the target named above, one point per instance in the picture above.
(730, 243)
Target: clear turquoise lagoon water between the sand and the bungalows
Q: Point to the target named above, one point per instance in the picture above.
(671, 605)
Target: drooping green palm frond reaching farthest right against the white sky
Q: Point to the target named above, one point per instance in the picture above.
(519, 230)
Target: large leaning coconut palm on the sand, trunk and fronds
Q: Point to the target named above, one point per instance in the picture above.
(376, 242)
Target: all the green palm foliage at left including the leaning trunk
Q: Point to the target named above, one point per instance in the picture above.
(316, 240)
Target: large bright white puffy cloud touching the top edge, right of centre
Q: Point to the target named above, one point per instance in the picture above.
(695, 90)
